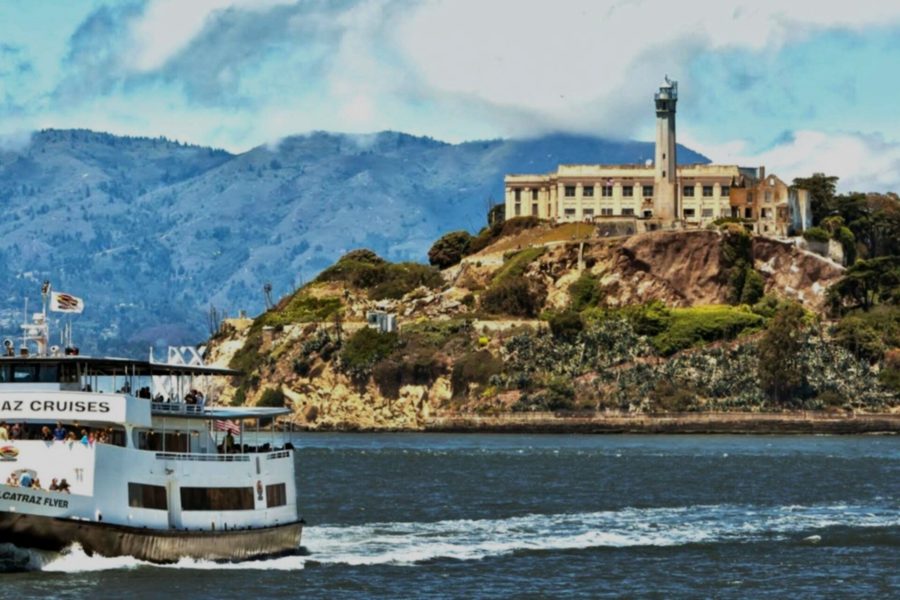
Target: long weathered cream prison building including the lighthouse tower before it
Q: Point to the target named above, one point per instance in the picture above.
(661, 195)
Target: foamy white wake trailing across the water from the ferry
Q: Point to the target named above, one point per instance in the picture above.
(408, 543)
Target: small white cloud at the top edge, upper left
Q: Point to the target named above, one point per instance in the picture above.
(168, 26)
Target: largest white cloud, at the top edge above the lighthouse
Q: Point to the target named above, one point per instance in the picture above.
(570, 59)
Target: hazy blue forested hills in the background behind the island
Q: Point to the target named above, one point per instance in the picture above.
(152, 232)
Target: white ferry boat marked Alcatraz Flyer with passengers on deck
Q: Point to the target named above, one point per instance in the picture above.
(130, 457)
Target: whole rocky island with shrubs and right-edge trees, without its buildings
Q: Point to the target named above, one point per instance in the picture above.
(533, 326)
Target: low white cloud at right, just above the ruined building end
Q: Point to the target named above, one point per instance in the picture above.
(863, 162)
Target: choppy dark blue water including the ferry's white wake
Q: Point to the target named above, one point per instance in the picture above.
(561, 516)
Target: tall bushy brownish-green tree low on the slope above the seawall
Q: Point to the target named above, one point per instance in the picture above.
(782, 371)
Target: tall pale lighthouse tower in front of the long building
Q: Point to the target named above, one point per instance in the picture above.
(665, 198)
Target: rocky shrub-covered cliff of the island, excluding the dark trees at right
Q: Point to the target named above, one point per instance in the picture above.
(661, 329)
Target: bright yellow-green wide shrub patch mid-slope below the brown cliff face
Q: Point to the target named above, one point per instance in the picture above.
(691, 326)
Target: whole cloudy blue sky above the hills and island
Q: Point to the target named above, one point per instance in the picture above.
(801, 87)
